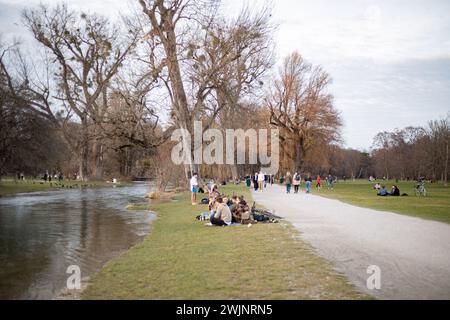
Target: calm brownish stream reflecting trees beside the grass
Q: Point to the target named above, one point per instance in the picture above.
(43, 233)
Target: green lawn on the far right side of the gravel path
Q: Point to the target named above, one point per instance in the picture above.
(435, 206)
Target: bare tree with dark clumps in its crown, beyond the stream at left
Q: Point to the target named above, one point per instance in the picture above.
(87, 51)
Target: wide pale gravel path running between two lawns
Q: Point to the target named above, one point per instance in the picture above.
(413, 254)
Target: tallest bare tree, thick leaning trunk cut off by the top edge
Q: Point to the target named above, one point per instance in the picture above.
(193, 52)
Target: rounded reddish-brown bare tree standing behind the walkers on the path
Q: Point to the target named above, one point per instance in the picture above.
(301, 107)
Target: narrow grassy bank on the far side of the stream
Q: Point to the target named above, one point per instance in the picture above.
(10, 187)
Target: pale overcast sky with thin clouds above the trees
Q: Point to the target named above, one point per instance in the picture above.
(389, 59)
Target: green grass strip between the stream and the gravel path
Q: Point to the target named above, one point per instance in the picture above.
(183, 259)
